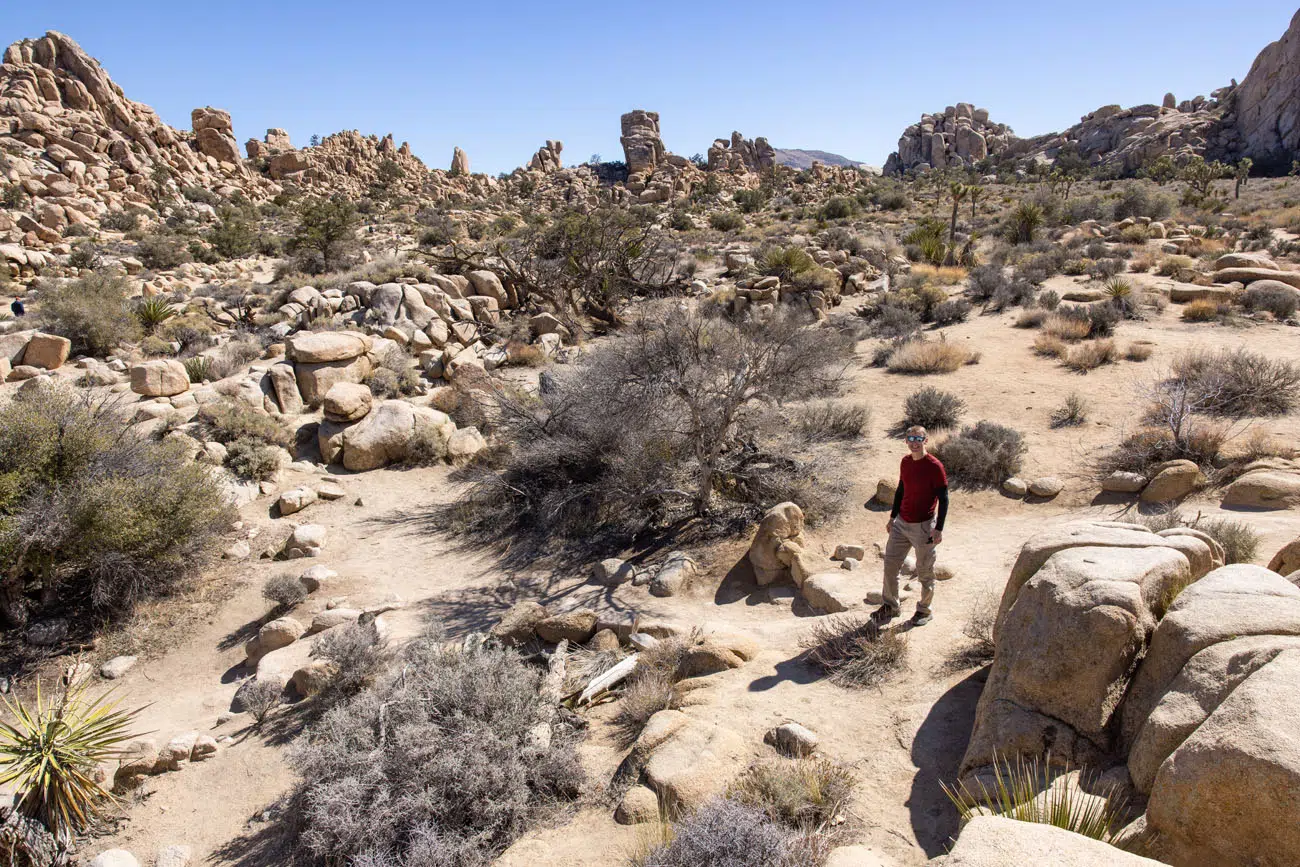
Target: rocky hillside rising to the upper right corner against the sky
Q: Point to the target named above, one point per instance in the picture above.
(1256, 119)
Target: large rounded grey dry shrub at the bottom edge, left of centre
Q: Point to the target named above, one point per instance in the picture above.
(435, 765)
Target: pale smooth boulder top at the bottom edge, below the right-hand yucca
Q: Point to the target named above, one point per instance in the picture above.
(994, 842)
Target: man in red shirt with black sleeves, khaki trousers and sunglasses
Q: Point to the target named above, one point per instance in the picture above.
(916, 522)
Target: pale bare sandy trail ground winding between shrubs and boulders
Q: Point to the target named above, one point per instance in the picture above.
(902, 740)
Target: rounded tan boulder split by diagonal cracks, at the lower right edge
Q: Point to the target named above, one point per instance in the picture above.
(1212, 722)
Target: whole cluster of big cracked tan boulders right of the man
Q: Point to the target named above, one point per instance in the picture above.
(1119, 647)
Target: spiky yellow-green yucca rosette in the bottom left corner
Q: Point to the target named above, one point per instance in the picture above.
(51, 748)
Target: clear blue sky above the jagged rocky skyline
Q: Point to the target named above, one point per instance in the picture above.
(501, 79)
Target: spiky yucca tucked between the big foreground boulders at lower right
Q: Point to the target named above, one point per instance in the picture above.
(1025, 792)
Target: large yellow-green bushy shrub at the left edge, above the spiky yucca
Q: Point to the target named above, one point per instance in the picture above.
(94, 519)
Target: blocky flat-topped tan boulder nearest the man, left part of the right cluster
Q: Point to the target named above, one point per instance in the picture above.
(1076, 618)
